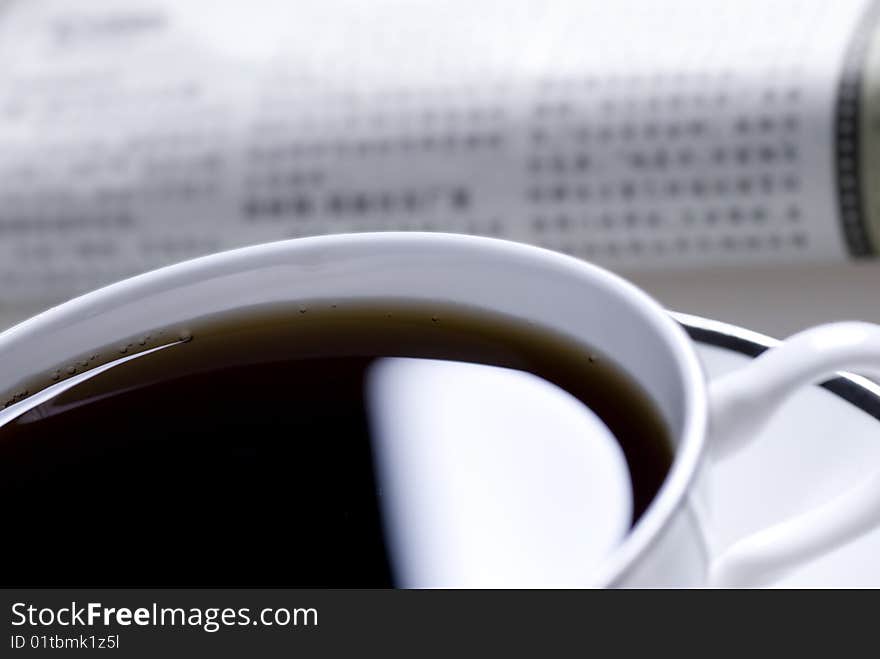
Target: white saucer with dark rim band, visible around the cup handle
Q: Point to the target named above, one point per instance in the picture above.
(822, 440)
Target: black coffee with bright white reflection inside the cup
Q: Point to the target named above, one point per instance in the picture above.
(325, 447)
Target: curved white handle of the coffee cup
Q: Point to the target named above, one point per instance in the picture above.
(743, 401)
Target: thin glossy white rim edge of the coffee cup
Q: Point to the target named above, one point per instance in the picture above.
(672, 494)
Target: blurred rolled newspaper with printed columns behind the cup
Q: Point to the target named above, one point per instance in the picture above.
(652, 134)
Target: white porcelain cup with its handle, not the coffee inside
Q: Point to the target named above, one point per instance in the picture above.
(706, 420)
